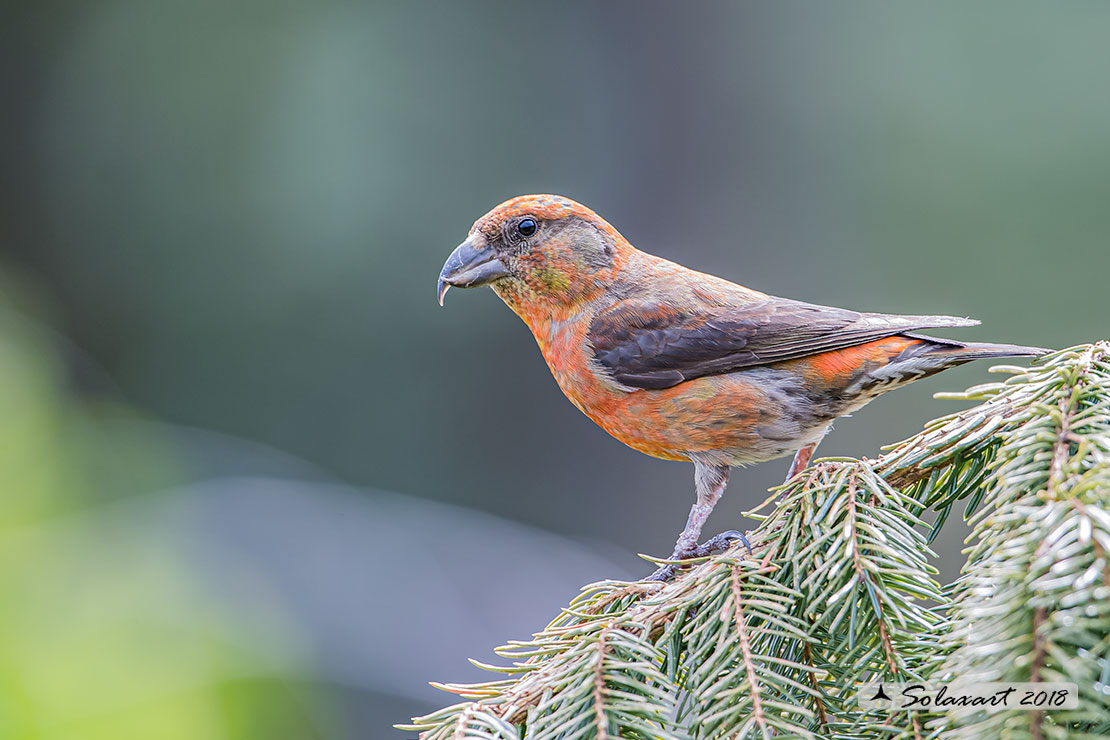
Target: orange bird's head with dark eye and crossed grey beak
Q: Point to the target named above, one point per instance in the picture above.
(538, 252)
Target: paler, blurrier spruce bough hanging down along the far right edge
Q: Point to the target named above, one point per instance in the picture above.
(1034, 603)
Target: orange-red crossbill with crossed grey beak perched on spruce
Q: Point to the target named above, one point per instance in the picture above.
(684, 366)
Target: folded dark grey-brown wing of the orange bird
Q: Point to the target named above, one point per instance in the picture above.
(653, 346)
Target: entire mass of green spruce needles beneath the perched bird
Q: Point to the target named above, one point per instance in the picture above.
(840, 591)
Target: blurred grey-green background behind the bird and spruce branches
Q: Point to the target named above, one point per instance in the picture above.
(256, 484)
